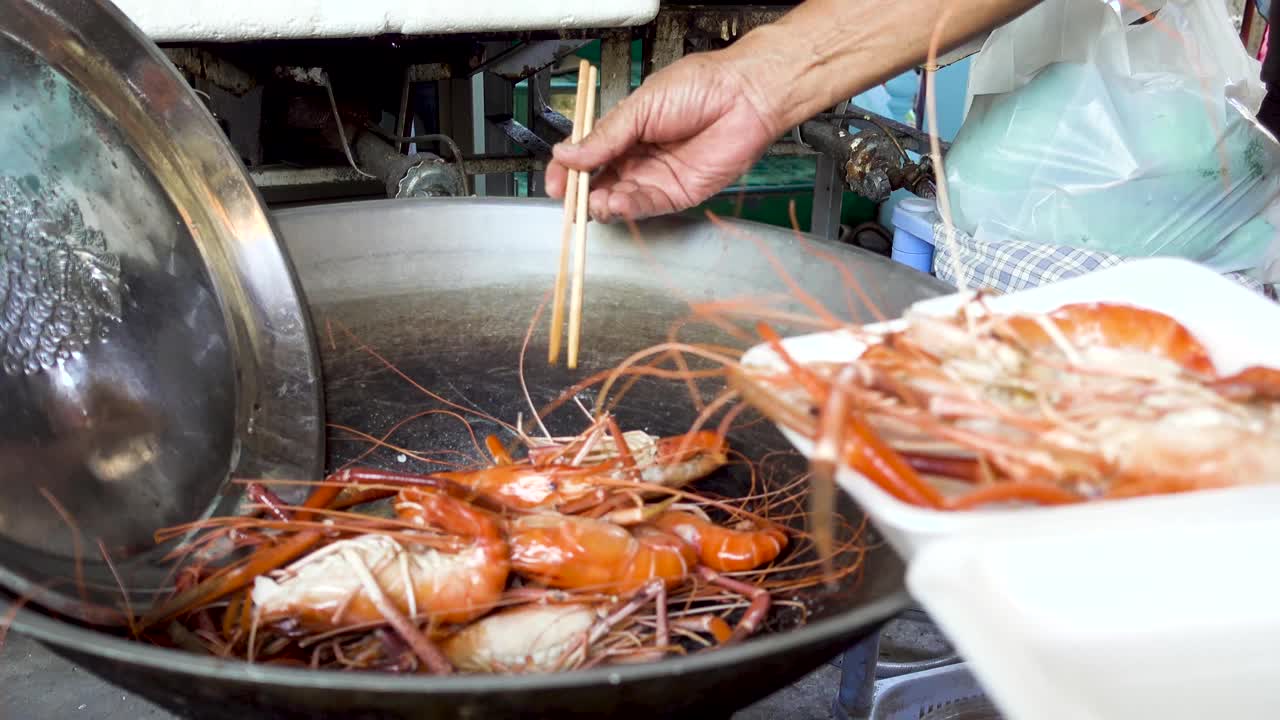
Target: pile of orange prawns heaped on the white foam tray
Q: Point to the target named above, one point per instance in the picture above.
(1090, 402)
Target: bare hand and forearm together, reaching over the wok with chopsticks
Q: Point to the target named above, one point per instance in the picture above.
(698, 125)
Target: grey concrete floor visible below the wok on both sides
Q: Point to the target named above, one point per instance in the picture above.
(36, 685)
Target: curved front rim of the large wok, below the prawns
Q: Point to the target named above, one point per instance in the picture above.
(61, 635)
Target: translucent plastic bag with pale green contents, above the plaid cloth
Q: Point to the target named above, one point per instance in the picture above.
(1137, 140)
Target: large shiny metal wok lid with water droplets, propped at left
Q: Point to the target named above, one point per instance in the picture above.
(153, 338)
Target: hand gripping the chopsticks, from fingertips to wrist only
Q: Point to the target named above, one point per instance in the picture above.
(688, 133)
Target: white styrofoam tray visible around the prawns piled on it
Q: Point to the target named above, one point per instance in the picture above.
(1238, 327)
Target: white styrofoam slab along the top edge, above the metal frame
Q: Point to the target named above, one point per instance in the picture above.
(236, 21)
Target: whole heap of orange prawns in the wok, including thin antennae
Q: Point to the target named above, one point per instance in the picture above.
(588, 550)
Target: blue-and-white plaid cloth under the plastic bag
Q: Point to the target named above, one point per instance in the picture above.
(1008, 267)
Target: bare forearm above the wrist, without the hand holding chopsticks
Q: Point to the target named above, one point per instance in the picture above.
(830, 51)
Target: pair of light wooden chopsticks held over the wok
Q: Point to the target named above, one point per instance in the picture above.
(578, 188)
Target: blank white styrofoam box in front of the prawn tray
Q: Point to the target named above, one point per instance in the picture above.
(1158, 609)
